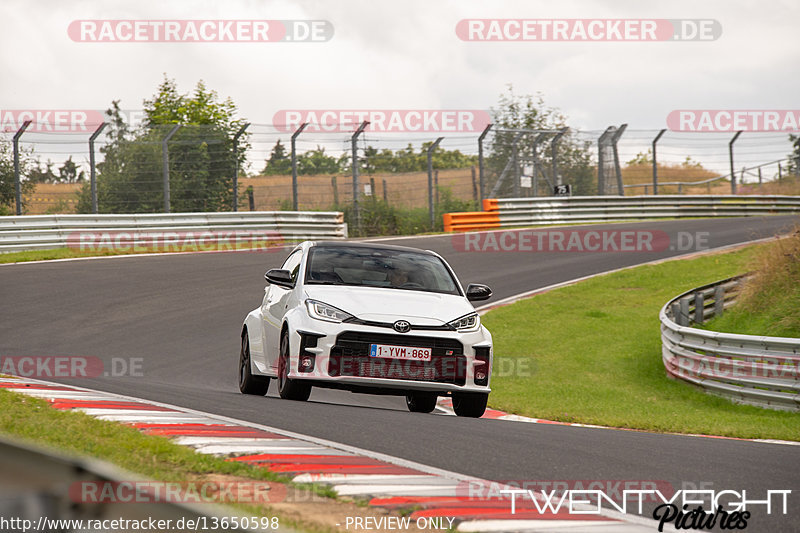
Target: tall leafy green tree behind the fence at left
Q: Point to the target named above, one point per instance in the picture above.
(201, 155)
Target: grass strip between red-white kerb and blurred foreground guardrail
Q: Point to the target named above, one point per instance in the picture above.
(153, 457)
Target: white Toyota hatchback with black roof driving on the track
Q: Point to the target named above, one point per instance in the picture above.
(368, 318)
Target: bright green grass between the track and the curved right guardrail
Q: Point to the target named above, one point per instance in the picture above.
(591, 353)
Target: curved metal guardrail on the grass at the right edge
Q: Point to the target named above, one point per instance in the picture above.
(757, 370)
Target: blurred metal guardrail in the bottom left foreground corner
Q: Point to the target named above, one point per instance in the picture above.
(38, 484)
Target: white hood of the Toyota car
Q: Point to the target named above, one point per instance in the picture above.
(387, 305)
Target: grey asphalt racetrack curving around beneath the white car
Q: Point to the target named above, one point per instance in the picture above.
(182, 314)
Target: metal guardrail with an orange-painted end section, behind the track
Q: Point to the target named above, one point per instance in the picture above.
(513, 212)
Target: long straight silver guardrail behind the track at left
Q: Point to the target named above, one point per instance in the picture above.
(39, 232)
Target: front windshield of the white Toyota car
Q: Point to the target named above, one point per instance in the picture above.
(379, 267)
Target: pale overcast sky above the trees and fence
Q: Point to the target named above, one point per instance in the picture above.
(406, 55)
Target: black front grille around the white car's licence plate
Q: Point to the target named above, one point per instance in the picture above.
(350, 357)
